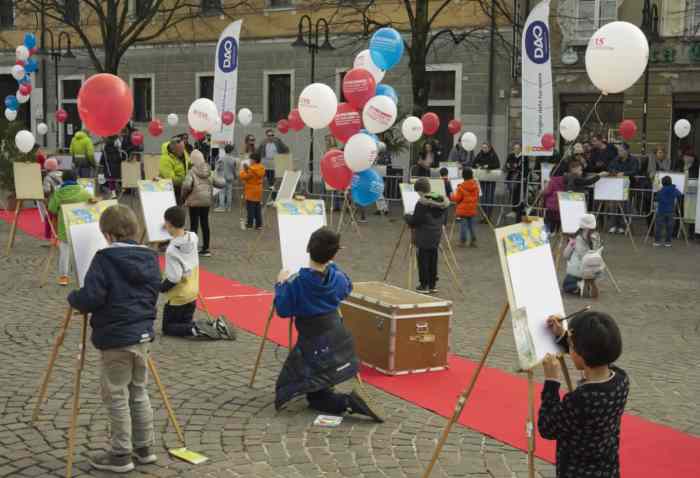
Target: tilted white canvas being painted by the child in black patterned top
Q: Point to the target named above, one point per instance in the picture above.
(532, 288)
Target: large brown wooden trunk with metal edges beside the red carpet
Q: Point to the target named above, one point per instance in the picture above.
(398, 331)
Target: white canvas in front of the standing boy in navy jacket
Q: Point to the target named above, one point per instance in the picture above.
(82, 223)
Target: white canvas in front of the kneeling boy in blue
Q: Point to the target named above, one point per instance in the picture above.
(297, 221)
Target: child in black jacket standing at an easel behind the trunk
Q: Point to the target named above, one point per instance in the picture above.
(427, 221)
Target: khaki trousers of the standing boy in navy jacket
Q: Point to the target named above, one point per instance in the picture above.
(125, 394)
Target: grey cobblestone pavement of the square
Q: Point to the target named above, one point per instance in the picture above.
(237, 427)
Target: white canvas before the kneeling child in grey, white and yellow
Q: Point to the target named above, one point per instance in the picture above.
(156, 197)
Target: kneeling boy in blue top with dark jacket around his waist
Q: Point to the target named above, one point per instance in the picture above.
(324, 355)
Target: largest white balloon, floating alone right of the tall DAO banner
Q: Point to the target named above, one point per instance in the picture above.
(616, 56)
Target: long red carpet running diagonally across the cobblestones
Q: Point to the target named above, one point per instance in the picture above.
(498, 406)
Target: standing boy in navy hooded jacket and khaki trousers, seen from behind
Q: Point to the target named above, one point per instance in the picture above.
(120, 292)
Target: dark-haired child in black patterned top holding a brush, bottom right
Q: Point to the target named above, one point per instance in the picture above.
(586, 422)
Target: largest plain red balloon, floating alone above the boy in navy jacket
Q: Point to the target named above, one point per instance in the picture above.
(105, 104)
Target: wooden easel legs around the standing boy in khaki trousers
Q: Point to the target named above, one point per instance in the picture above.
(80, 363)
